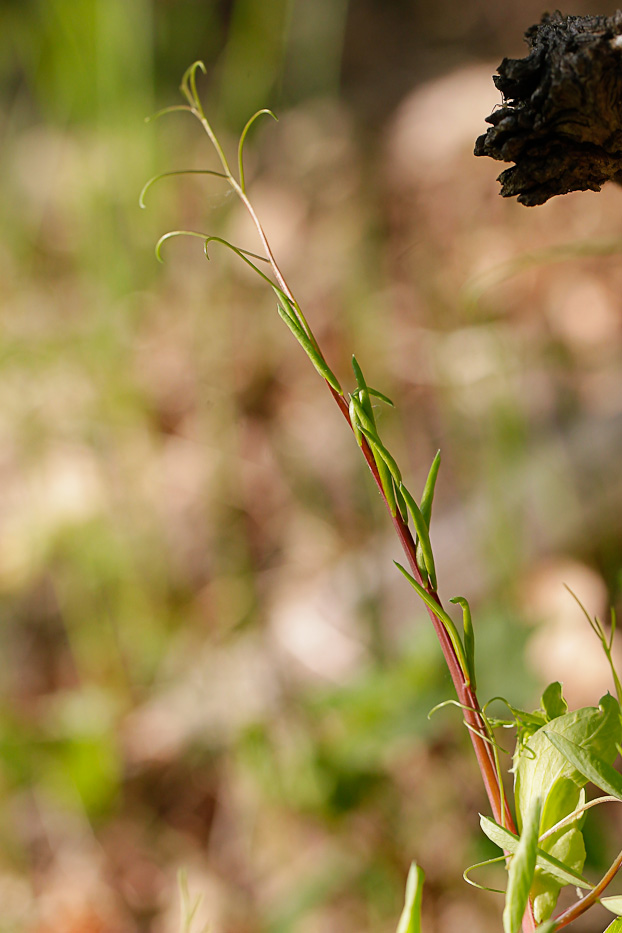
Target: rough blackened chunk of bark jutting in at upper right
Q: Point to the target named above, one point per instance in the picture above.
(561, 118)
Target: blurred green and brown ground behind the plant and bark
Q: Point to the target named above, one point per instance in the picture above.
(207, 658)
